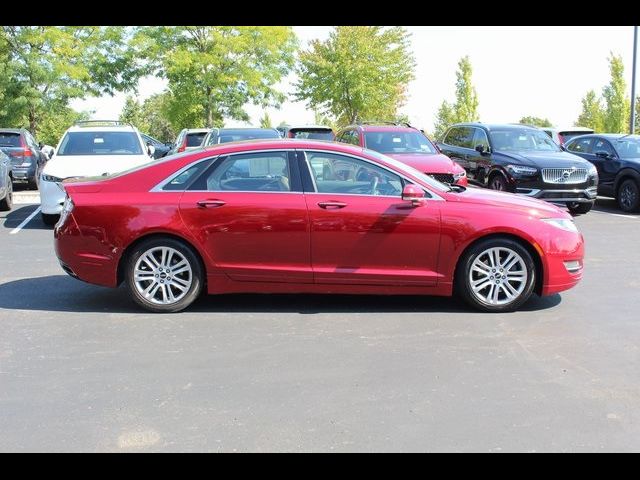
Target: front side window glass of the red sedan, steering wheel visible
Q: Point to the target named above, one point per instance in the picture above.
(340, 174)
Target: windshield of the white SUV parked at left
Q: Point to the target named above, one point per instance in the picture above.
(100, 143)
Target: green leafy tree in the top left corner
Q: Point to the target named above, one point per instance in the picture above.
(47, 65)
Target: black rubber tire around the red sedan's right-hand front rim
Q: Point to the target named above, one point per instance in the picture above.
(463, 277)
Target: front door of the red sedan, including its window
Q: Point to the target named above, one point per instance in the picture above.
(362, 232)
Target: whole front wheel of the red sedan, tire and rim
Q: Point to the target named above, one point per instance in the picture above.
(496, 275)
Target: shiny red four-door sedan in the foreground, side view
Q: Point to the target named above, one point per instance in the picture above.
(291, 216)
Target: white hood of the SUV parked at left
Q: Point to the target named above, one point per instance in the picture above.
(92, 165)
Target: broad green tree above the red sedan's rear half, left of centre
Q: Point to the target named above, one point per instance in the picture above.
(213, 71)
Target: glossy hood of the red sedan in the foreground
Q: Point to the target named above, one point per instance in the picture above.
(511, 201)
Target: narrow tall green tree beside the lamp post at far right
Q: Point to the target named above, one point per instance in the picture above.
(616, 103)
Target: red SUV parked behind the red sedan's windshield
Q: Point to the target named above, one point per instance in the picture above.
(408, 145)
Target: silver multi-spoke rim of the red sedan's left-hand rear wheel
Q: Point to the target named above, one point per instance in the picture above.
(162, 275)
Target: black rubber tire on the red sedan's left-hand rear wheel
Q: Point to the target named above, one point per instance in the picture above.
(197, 275)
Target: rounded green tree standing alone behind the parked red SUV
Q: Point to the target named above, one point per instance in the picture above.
(358, 73)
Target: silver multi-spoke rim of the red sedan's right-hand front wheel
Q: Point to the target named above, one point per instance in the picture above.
(498, 276)
